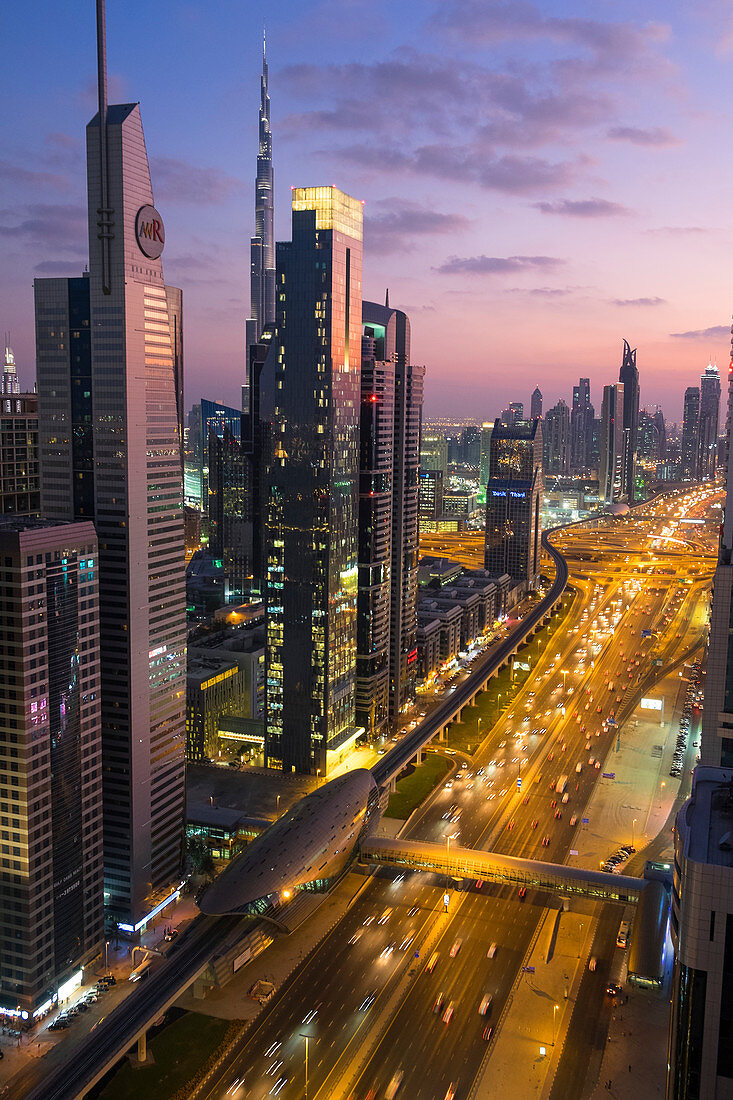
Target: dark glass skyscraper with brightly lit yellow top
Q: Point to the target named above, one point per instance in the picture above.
(310, 403)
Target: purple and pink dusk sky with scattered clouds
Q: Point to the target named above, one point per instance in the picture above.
(541, 181)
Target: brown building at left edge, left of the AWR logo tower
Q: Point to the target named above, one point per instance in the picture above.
(20, 486)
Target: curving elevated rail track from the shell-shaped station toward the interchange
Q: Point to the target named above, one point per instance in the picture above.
(452, 709)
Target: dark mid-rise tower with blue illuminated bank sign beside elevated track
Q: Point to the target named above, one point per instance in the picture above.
(513, 501)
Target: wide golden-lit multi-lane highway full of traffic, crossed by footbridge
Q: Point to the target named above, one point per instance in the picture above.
(628, 581)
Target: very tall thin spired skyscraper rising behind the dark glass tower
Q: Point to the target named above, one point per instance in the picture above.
(262, 246)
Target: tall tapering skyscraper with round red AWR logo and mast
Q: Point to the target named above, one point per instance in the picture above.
(111, 450)
